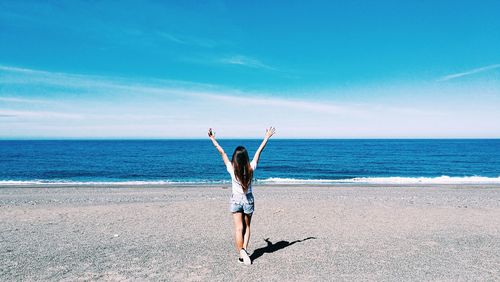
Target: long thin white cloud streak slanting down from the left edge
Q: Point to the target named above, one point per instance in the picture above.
(162, 88)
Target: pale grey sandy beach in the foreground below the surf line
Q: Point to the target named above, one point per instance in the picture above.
(299, 233)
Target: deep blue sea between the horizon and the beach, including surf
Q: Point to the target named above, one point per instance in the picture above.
(283, 161)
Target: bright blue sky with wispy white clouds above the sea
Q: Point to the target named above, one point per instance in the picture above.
(313, 69)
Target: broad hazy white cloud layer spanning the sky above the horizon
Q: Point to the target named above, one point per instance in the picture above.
(99, 106)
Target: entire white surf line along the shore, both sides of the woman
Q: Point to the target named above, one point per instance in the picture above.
(273, 180)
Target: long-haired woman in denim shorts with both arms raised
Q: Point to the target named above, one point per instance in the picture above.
(242, 202)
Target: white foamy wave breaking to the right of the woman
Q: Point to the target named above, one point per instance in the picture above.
(388, 180)
